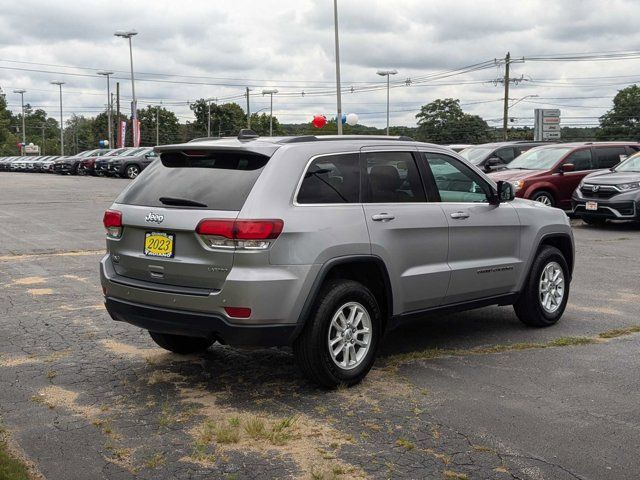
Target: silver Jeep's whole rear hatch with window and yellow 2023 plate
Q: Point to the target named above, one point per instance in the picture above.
(162, 208)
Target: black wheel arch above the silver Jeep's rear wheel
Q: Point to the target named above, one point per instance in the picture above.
(370, 270)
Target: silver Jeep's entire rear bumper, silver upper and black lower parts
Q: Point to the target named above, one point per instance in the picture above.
(275, 296)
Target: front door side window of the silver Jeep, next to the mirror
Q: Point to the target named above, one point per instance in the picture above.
(455, 181)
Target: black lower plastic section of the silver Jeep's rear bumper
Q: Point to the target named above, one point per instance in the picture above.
(195, 324)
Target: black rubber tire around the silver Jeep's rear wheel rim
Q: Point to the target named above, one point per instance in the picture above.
(311, 347)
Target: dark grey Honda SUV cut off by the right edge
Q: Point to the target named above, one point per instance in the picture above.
(612, 194)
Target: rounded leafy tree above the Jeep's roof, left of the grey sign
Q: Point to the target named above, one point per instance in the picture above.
(443, 121)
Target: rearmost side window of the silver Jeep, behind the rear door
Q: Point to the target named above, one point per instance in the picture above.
(331, 179)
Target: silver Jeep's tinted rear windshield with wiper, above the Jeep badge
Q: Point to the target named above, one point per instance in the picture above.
(199, 179)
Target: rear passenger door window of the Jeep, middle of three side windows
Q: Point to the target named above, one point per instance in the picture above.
(392, 177)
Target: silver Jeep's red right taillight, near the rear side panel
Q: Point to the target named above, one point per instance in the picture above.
(239, 234)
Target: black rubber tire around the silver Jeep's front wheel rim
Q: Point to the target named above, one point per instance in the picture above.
(529, 307)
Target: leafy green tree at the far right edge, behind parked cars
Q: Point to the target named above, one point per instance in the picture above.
(623, 120)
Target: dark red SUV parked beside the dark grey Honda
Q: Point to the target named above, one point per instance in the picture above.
(549, 174)
